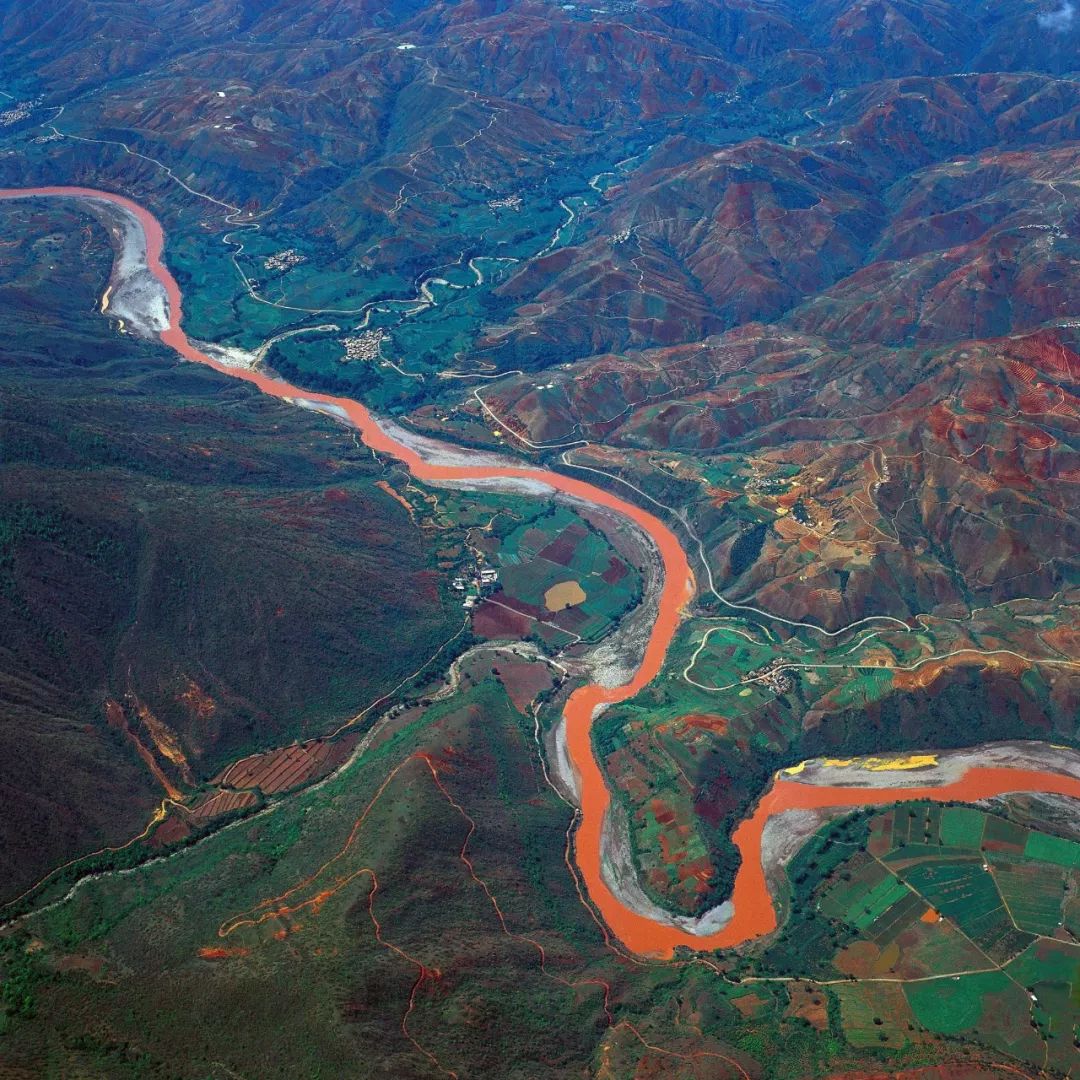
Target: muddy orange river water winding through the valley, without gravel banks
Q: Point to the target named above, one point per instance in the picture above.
(754, 912)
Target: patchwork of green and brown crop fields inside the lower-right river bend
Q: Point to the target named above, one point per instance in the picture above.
(946, 922)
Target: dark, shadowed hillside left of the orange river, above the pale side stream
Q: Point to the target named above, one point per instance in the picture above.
(164, 530)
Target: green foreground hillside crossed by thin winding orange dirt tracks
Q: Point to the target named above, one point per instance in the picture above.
(120, 989)
